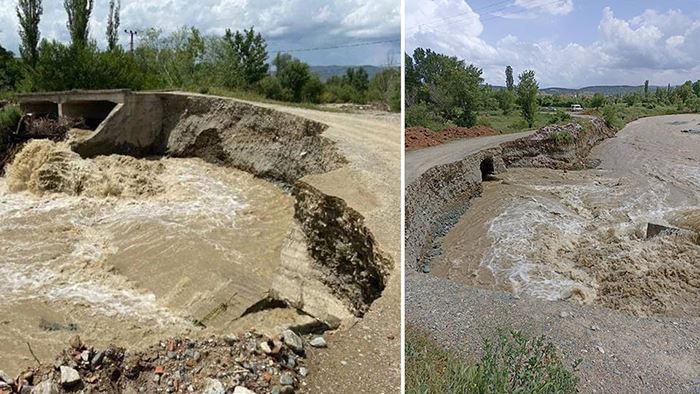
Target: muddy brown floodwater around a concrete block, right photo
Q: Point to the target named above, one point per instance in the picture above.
(581, 235)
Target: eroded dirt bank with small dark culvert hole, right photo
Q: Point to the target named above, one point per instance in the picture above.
(439, 197)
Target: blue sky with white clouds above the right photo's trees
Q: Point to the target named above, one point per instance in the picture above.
(569, 43)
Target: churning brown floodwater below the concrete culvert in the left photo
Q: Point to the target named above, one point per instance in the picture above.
(127, 251)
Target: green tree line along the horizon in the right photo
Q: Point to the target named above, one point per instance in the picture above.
(443, 90)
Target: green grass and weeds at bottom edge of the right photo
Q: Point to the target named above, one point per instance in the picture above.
(512, 363)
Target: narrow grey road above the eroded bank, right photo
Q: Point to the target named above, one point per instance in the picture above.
(419, 161)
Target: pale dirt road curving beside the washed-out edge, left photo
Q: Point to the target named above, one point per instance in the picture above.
(367, 357)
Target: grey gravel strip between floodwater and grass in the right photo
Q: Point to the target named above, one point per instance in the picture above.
(621, 353)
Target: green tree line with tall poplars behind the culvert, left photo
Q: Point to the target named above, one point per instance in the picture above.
(184, 59)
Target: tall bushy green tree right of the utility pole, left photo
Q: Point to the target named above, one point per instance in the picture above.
(250, 51)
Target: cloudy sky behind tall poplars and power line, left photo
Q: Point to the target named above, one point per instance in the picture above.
(286, 24)
